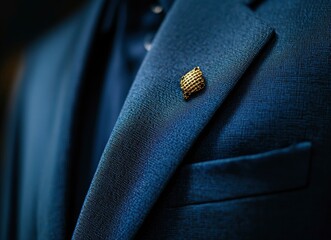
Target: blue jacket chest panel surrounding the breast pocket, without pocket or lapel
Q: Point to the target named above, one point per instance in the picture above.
(283, 98)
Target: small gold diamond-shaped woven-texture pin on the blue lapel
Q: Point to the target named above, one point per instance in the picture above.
(191, 82)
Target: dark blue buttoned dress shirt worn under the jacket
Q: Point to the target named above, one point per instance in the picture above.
(123, 36)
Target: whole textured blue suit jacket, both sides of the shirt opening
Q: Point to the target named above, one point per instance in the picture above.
(247, 158)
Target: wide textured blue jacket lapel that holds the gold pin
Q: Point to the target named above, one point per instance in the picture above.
(157, 127)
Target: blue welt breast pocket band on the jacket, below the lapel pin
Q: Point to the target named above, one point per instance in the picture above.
(244, 176)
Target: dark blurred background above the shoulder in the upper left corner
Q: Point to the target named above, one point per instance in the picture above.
(22, 21)
